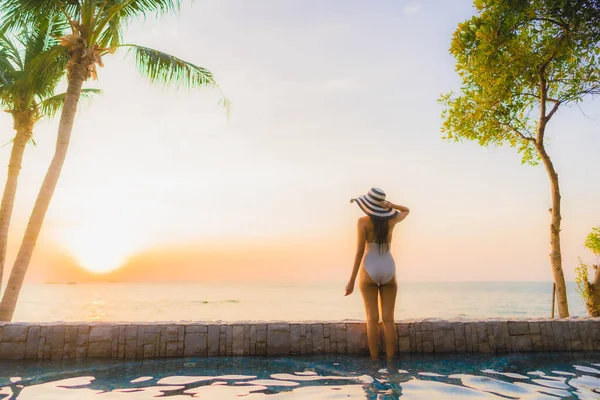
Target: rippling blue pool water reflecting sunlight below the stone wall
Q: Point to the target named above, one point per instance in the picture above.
(532, 376)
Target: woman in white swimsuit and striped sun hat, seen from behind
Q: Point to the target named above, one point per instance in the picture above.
(378, 274)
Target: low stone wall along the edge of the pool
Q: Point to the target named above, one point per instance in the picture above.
(157, 340)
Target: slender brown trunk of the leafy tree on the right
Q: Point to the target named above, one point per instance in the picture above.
(555, 254)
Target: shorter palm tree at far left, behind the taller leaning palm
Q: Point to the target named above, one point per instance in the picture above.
(30, 69)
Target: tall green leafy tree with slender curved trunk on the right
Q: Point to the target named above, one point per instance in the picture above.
(520, 61)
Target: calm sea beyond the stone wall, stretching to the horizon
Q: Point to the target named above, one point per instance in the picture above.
(251, 301)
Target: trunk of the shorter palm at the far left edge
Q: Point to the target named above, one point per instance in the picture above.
(23, 124)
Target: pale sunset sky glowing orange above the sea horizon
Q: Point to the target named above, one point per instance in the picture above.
(329, 98)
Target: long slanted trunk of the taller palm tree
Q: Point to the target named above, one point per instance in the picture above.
(78, 74)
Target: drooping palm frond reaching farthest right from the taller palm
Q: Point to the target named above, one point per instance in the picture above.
(165, 69)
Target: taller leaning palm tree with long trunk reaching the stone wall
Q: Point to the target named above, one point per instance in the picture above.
(96, 28)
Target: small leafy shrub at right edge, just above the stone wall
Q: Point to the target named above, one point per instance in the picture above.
(590, 291)
